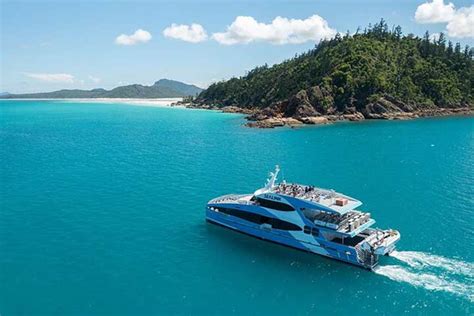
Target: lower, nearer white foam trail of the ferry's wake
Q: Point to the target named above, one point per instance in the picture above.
(428, 281)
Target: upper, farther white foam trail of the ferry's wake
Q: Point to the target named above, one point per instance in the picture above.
(422, 260)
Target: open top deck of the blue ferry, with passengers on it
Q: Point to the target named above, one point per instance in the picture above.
(330, 200)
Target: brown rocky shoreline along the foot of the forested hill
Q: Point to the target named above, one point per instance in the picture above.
(297, 112)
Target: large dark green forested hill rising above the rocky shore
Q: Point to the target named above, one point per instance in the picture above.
(350, 74)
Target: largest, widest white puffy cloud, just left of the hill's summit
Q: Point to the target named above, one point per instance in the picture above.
(246, 29)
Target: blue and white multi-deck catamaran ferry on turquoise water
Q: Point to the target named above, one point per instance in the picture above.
(312, 219)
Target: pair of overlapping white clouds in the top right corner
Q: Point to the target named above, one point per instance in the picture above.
(460, 22)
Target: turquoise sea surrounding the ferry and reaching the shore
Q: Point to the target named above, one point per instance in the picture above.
(102, 212)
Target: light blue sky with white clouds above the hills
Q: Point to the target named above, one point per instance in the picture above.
(51, 45)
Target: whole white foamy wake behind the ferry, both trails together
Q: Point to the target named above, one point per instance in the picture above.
(434, 273)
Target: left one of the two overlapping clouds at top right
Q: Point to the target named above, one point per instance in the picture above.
(434, 12)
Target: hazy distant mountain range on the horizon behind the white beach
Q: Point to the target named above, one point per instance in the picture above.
(163, 88)
